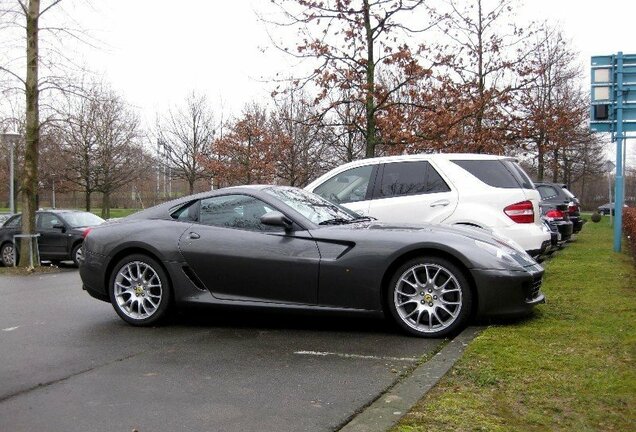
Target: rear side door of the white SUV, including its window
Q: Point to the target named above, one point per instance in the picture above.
(411, 192)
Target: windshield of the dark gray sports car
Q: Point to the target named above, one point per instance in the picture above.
(313, 207)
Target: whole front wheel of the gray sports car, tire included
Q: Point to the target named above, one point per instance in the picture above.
(436, 305)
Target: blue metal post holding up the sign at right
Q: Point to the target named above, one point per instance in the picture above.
(618, 193)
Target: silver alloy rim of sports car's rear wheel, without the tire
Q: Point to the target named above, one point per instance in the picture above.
(138, 290)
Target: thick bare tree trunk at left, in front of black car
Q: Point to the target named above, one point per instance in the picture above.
(30, 171)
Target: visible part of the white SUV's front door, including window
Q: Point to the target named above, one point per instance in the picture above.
(351, 188)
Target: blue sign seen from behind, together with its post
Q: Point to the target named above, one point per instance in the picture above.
(613, 109)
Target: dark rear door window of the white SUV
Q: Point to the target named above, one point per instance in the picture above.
(403, 178)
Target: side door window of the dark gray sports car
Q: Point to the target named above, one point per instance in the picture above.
(235, 211)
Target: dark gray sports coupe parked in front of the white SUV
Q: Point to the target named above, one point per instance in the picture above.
(282, 247)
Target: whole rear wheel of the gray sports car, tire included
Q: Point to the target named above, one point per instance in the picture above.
(143, 275)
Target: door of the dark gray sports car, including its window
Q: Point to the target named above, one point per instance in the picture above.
(239, 258)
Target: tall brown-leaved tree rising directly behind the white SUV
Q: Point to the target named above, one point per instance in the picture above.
(351, 41)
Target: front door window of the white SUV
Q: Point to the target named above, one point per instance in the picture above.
(348, 186)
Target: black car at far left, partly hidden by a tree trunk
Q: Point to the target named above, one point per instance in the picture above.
(61, 234)
